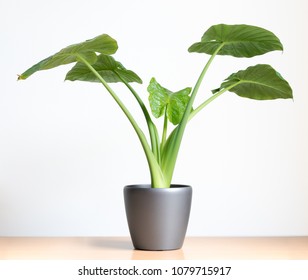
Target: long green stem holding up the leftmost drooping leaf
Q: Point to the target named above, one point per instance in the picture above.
(157, 178)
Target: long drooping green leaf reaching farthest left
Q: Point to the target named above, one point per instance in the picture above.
(103, 44)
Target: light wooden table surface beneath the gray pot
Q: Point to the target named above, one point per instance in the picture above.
(120, 248)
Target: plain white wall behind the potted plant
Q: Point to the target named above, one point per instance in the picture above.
(66, 151)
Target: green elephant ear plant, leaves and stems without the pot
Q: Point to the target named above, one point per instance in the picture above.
(94, 63)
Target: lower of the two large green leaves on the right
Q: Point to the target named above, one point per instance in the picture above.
(260, 82)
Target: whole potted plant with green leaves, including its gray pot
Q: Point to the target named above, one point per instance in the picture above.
(158, 212)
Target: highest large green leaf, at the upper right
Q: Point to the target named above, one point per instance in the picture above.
(237, 40)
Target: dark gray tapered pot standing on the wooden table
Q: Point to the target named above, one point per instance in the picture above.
(157, 218)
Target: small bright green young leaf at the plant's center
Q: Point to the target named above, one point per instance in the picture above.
(161, 98)
